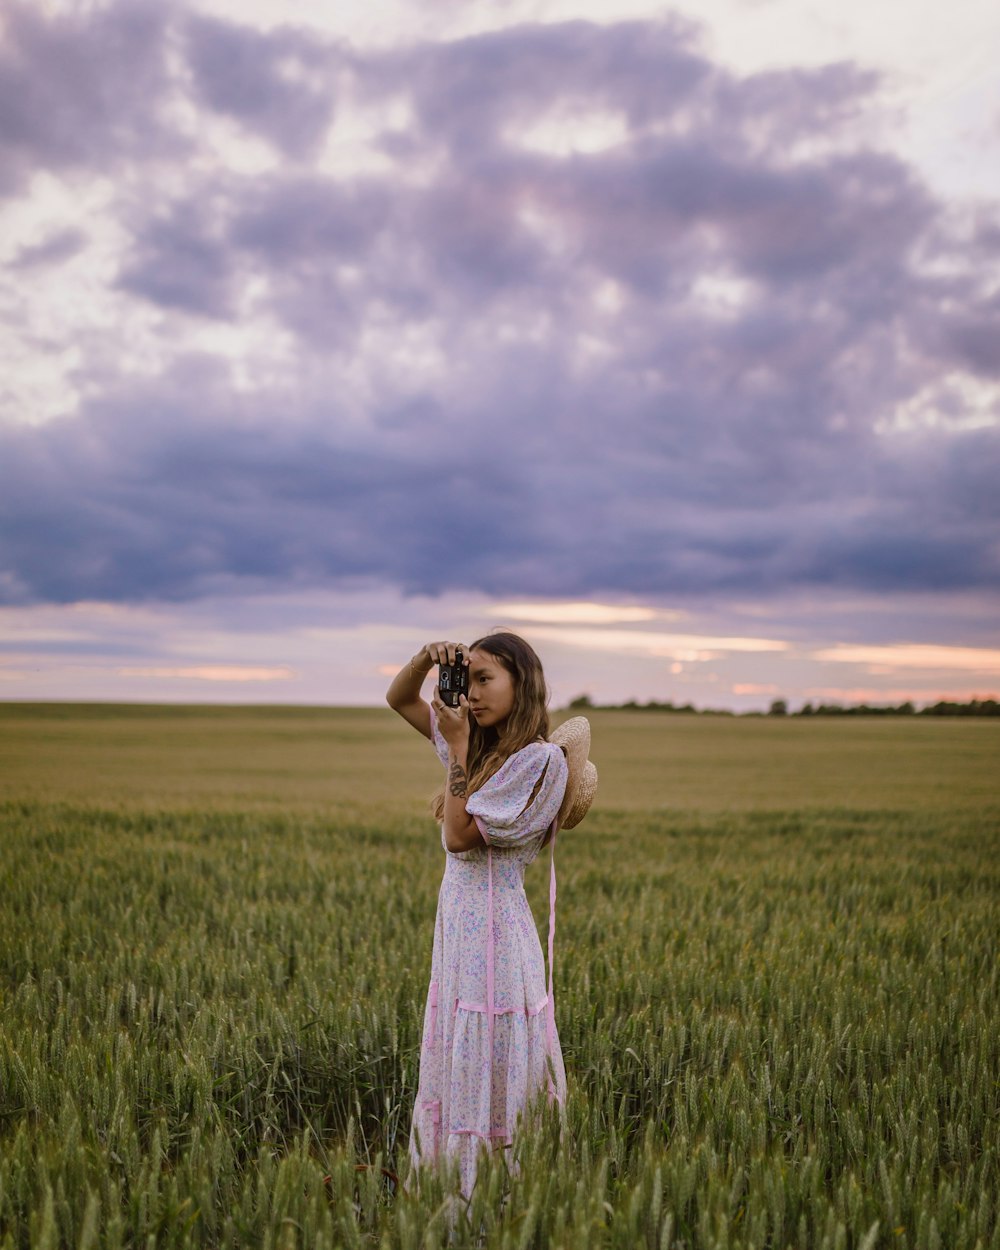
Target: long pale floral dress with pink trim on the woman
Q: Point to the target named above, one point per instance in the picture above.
(489, 1023)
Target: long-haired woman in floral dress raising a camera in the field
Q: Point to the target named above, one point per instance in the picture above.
(489, 1039)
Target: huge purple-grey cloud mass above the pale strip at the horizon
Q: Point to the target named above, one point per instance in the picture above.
(556, 311)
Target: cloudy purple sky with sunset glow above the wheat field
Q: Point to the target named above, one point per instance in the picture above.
(669, 337)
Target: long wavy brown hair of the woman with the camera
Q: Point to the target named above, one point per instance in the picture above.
(528, 721)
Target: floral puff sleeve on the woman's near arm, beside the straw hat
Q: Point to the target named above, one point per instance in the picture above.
(503, 807)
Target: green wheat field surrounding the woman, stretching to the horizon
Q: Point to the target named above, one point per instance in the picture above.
(777, 986)
